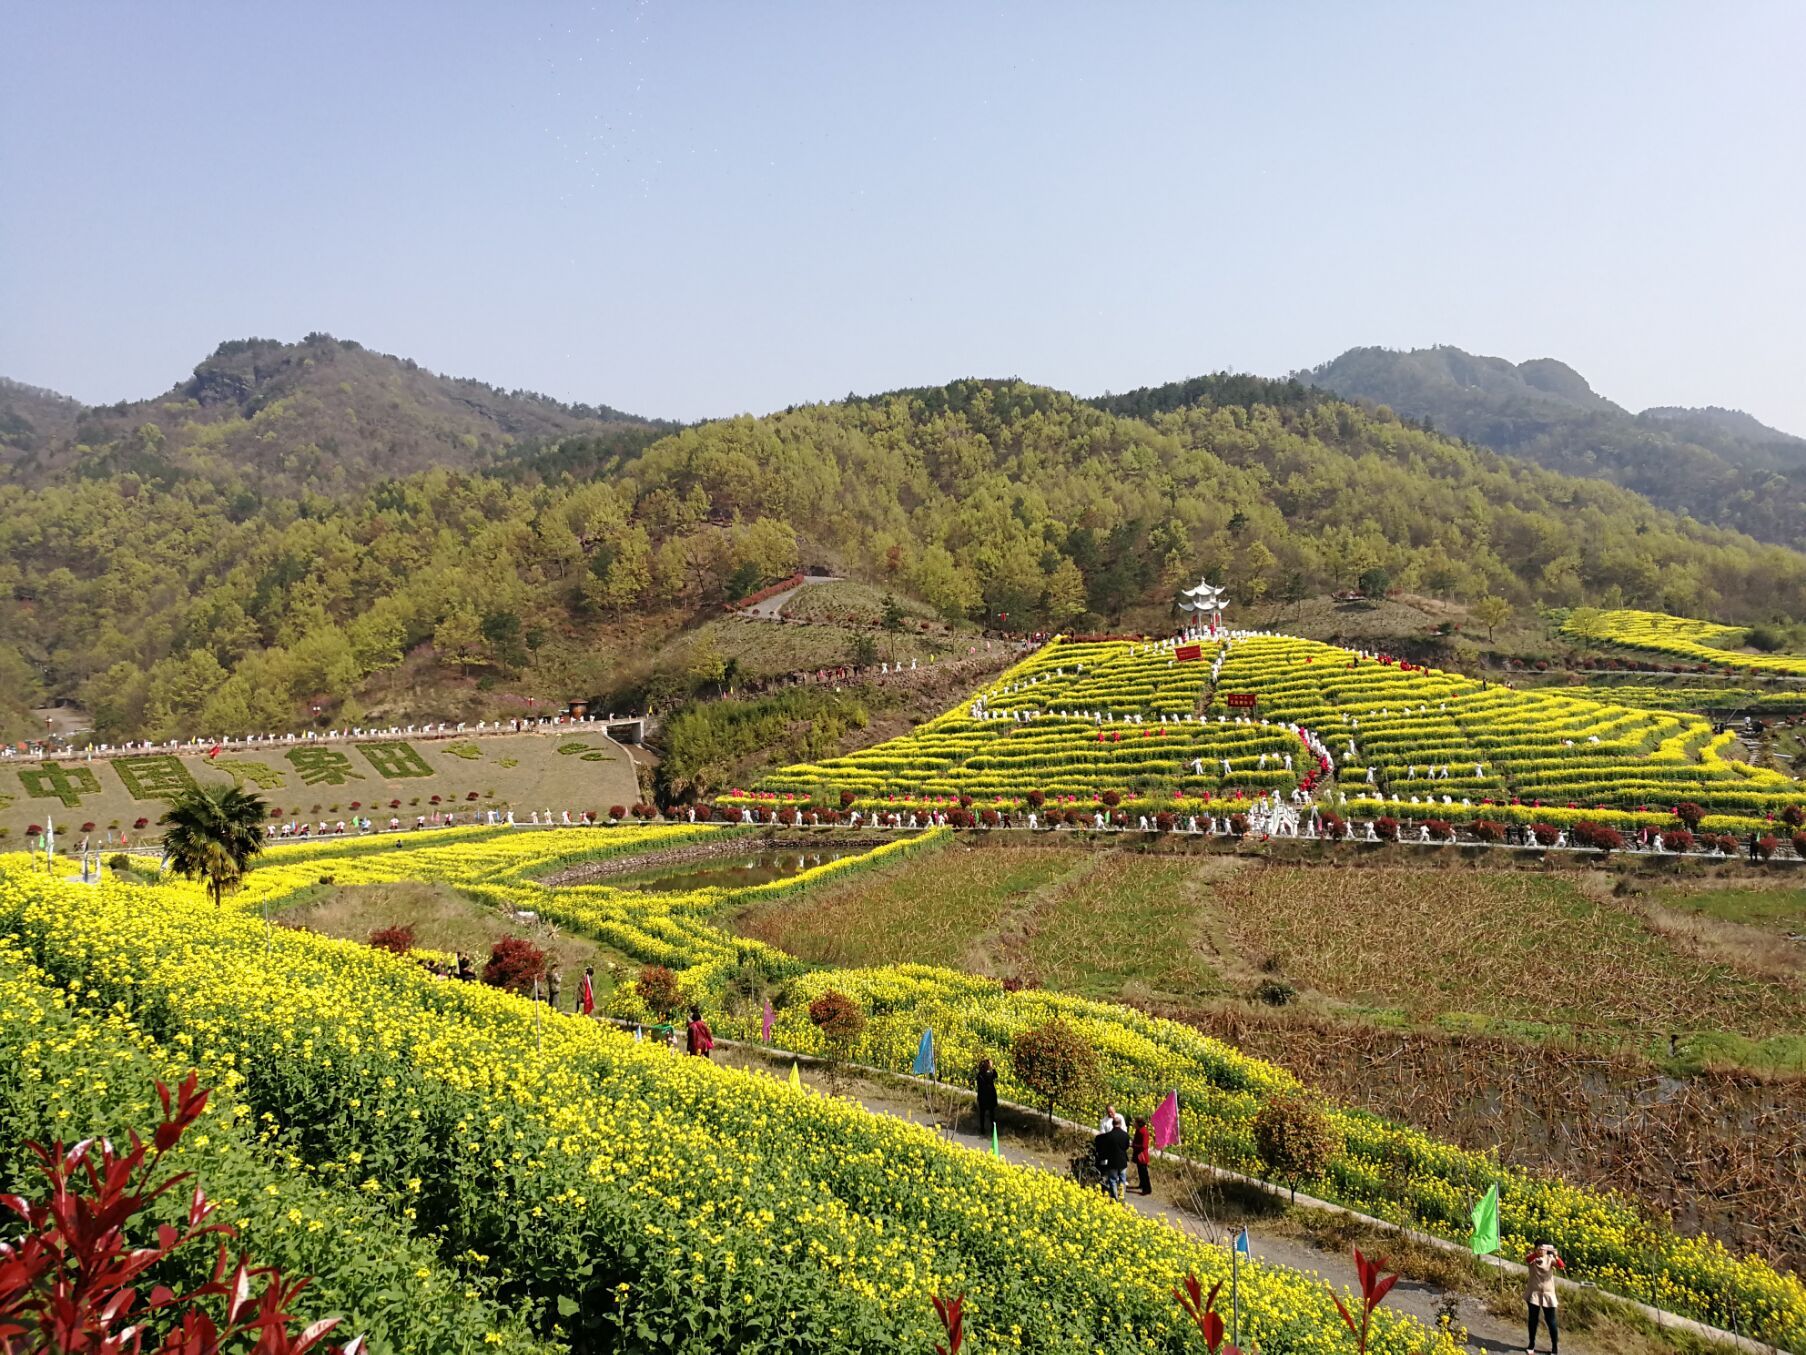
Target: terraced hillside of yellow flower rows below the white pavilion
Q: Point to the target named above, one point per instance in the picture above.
(1079, 722)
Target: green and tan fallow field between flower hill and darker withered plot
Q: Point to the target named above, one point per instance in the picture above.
(1509, 951)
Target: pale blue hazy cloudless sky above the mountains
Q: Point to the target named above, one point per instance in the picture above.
(694, 210)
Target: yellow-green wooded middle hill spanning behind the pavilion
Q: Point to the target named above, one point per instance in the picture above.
(183, 606)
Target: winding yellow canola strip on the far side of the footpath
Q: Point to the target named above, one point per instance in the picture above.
(1386, 1170)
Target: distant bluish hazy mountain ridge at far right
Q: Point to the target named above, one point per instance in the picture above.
(1715, 465)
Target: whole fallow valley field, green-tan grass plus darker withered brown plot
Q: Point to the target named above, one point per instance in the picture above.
(1417, 973)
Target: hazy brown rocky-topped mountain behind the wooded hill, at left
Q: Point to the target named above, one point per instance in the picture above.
(321, 416)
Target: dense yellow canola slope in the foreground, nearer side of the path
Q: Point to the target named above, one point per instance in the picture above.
(615, 1188)
